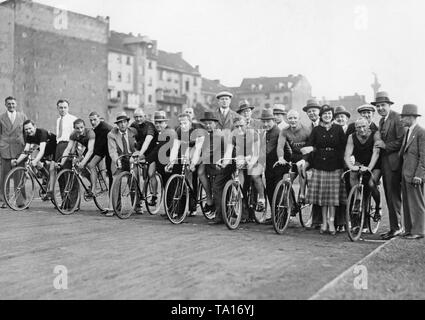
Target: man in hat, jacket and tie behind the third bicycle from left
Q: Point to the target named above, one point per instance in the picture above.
(121, 141)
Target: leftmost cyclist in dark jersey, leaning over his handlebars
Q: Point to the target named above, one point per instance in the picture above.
(46, 141)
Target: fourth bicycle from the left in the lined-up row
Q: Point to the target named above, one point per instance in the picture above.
(177, 193)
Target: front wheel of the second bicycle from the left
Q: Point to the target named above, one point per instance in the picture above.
(66, 192)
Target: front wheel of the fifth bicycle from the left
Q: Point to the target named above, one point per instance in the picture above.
(232, 205)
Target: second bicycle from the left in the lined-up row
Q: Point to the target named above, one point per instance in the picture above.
(67, 188)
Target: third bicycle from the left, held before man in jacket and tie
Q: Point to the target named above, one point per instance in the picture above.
(134, 187)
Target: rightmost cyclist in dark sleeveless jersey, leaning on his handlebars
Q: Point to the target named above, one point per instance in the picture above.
(362, 145)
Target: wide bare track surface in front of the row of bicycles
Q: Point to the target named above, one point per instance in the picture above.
(146, 257)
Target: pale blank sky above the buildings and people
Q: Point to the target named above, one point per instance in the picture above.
(336, 44)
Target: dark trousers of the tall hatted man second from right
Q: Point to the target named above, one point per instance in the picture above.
(392, 188)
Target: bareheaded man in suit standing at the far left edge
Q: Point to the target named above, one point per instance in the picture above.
(11, 139)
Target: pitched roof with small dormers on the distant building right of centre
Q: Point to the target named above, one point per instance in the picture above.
(265, 84)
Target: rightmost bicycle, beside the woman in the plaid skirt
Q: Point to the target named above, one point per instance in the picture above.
(361, 209)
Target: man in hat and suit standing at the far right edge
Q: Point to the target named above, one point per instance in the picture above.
(412, 153)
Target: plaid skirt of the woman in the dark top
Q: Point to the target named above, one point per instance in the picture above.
(326, 188)
